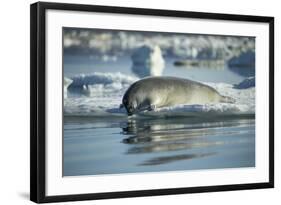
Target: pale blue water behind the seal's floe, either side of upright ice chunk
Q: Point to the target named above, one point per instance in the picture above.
(87, 64)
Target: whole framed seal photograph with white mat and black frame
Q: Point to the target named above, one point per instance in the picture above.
(129, 102)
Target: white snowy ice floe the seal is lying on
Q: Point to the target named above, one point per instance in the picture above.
(107, 89)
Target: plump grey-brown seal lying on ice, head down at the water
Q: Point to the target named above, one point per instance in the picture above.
(157, 92)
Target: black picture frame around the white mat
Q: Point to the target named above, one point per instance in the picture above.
(38, 101)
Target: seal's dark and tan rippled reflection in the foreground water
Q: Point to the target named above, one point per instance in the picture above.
(180, 138)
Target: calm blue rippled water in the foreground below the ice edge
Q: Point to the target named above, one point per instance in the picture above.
(111, 146)
